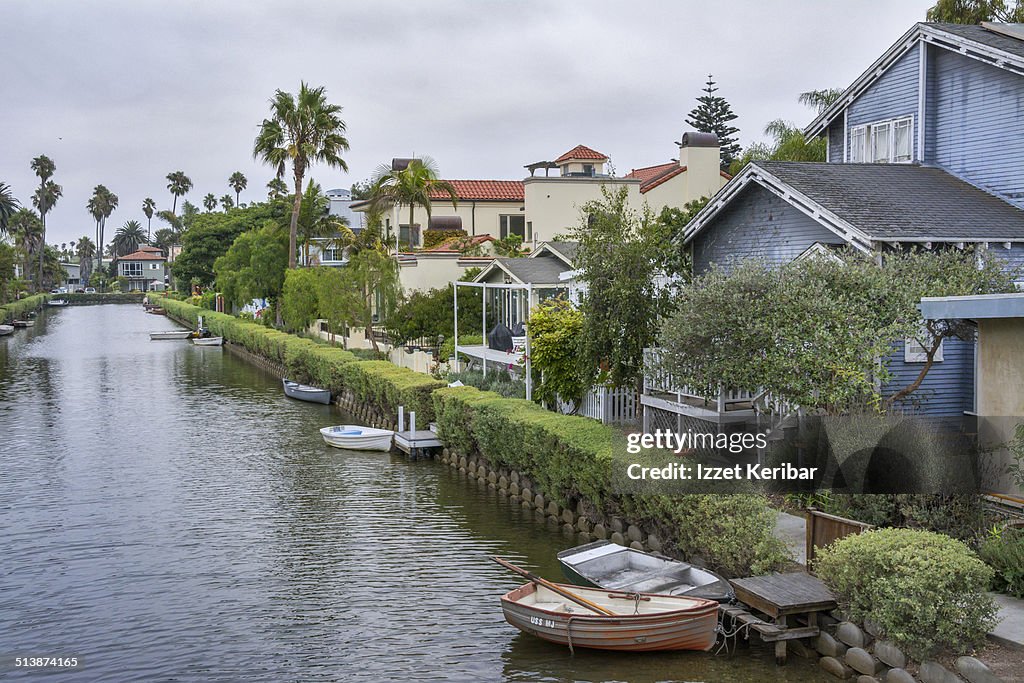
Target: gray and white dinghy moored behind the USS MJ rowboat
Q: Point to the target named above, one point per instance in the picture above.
(611, 567)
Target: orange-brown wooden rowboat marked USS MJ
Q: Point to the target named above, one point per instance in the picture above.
(543, 614)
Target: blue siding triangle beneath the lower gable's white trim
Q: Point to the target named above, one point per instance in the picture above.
(758, 225)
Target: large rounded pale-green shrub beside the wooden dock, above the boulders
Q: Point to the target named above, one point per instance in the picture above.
(926, 591)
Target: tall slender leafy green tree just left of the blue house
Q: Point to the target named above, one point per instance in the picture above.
(619, 259)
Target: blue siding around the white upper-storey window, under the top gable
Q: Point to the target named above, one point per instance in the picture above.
(893, 96)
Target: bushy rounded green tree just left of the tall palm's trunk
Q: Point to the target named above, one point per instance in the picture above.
(254, 267)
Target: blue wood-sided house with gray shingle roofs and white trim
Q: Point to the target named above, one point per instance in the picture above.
(925, 148)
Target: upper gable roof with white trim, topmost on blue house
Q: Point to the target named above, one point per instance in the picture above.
(976, 42)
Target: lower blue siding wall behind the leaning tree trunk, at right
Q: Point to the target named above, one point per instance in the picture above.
(949, 388)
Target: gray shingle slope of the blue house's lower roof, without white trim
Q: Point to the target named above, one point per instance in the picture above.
(893, 202)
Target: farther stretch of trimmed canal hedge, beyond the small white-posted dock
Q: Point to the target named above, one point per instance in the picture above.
(377, 382)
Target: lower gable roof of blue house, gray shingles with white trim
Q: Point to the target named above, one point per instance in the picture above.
(866, 203)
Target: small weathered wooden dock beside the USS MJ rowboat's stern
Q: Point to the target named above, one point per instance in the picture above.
(780, 597)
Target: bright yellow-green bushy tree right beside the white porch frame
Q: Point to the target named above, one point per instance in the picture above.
(556, 328)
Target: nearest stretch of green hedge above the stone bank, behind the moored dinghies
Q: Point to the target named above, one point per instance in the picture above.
(571, 459)
